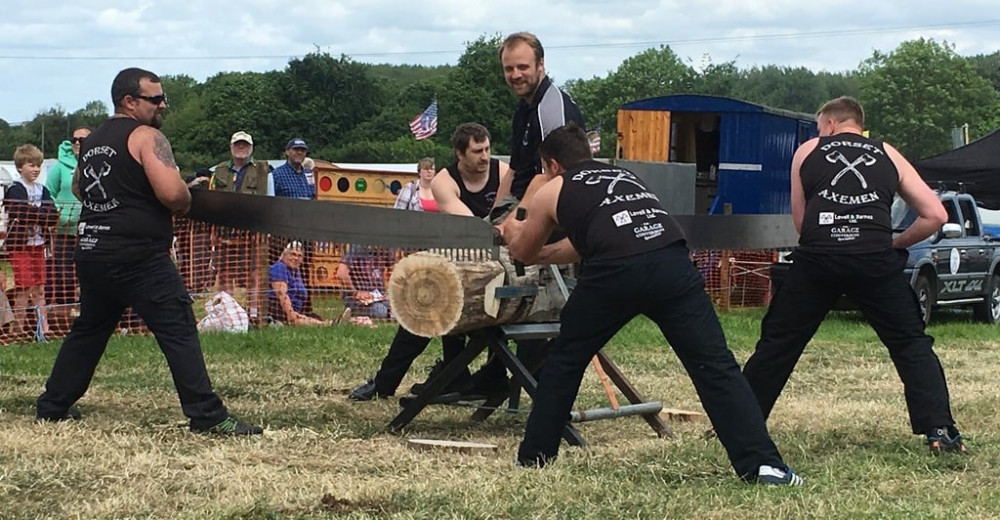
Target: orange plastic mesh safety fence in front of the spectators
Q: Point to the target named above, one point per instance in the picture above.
(237, 279)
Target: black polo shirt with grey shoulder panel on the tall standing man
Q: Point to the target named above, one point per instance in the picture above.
(548, 110)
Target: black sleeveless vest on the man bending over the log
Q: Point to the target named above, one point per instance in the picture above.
(608, 212)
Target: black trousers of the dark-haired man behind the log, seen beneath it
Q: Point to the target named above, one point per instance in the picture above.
(406, 347)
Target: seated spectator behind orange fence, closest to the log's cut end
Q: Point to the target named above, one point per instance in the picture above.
(362, 274)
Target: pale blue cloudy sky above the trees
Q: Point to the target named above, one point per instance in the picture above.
(66, 53)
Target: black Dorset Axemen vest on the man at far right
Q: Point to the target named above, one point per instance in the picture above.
(849, 182)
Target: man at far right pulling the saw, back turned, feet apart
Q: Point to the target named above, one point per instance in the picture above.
(842, 190)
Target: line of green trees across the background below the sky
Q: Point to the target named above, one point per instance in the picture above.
(357, 112)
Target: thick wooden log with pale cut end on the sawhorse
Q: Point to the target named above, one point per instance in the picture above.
(433, 295)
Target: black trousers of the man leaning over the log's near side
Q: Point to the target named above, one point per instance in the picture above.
(664, 286)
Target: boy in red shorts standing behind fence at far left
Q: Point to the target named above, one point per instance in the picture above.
(30, 213)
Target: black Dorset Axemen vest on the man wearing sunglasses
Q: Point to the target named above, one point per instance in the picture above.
(121, 219)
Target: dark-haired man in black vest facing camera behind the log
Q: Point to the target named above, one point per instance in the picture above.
(469, 187)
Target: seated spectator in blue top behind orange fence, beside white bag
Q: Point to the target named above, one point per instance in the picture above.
(287, 296)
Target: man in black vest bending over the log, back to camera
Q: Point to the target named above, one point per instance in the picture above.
(635, 261)
